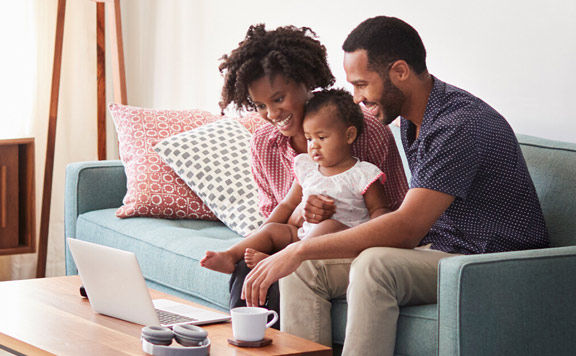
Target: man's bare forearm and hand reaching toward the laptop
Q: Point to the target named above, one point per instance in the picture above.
(403, 228)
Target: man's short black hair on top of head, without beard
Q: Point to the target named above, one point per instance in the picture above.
(386, 40)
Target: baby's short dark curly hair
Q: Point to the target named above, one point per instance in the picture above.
(348, 112)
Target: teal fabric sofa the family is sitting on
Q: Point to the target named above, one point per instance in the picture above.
(516, 303)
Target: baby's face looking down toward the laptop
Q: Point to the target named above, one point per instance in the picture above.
(328, 139)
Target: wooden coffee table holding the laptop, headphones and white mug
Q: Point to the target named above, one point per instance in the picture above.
(48, 316)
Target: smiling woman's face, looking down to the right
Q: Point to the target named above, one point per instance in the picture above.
(280, 102)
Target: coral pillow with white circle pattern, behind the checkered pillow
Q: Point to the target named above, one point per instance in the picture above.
(154, 189)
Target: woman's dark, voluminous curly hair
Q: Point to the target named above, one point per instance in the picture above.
(289, 50)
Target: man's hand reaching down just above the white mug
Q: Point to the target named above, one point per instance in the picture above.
(268, 271)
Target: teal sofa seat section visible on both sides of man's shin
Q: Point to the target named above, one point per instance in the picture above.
(417, 333)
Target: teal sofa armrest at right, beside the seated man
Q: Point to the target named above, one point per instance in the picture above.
(512, 303)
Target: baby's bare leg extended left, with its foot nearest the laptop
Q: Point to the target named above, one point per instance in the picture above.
(270, 238)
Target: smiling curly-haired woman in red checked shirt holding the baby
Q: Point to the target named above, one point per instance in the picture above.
(275, 72)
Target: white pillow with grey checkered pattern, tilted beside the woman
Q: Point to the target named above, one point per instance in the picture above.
(214, 160)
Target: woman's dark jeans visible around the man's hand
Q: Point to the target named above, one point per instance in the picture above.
(236, 283)
